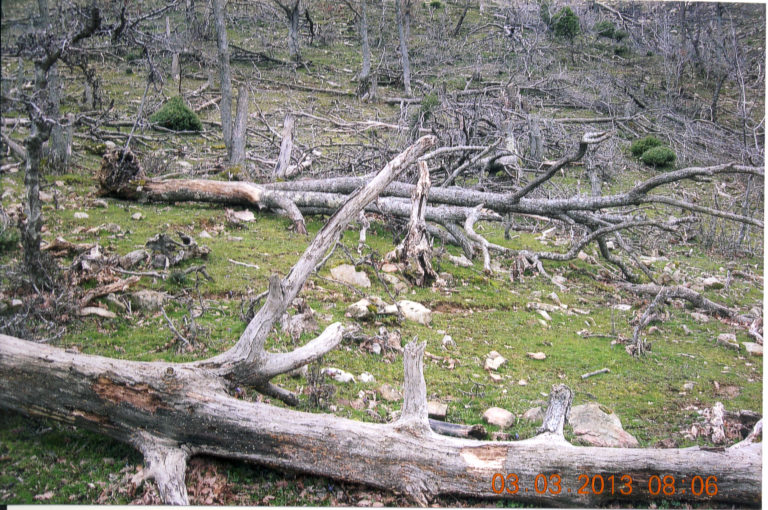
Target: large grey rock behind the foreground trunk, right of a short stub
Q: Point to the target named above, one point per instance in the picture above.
(598, 428)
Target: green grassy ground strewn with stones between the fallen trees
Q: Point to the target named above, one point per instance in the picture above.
(658, 397)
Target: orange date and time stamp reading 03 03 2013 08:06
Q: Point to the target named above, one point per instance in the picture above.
(668, 485)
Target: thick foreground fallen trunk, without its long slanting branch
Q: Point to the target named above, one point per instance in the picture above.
(173, 411)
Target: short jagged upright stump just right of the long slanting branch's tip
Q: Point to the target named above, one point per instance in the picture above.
(414, 250)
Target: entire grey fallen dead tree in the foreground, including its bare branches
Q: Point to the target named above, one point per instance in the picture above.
(173, 411)
